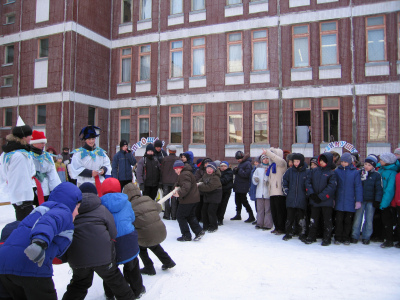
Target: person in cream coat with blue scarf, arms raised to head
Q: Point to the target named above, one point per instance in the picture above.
(277, 168)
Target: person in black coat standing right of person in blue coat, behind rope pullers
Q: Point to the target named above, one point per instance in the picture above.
(148, 173)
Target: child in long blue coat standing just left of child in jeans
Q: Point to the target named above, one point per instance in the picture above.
(349, 196)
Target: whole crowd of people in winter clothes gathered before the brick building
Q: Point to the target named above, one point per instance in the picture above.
(79, 208)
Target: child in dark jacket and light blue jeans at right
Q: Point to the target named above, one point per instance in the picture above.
(372, 197)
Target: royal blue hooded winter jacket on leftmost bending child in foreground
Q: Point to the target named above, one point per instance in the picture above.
(50, 222)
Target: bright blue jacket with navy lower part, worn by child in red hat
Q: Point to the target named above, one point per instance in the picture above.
(127, 245)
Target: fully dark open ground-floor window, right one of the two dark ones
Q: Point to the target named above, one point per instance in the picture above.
(330, 121)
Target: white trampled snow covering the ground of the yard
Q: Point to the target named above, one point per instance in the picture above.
(240, 262)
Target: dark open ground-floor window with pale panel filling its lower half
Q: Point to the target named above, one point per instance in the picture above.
(302, 122)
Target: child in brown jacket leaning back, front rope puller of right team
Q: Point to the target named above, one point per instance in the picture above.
(188, 196)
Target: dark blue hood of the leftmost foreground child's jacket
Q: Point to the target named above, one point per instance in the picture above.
(67, 194)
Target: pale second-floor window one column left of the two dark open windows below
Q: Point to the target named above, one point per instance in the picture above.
(259, 42)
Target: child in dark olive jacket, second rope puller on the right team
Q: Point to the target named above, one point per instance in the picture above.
(211, 187)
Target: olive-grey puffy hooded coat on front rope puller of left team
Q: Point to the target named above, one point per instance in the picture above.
(151, 230)
